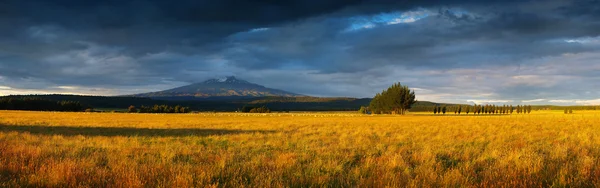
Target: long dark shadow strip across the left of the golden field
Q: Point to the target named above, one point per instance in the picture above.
(122, 131)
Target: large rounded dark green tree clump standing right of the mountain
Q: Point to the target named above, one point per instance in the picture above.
(397, 99)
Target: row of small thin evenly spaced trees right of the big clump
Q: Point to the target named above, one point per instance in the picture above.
(483, 109)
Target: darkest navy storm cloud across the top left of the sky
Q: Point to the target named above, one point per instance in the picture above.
(155, 26)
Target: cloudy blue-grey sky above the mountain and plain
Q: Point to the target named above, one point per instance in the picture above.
(456, 51)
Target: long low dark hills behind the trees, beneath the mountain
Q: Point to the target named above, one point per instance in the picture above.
(228, 103)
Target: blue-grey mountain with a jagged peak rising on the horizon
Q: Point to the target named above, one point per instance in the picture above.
(226, 87)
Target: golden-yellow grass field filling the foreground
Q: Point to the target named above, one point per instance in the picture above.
(42, 149)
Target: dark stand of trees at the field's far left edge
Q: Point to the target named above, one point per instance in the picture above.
(38, 104)
